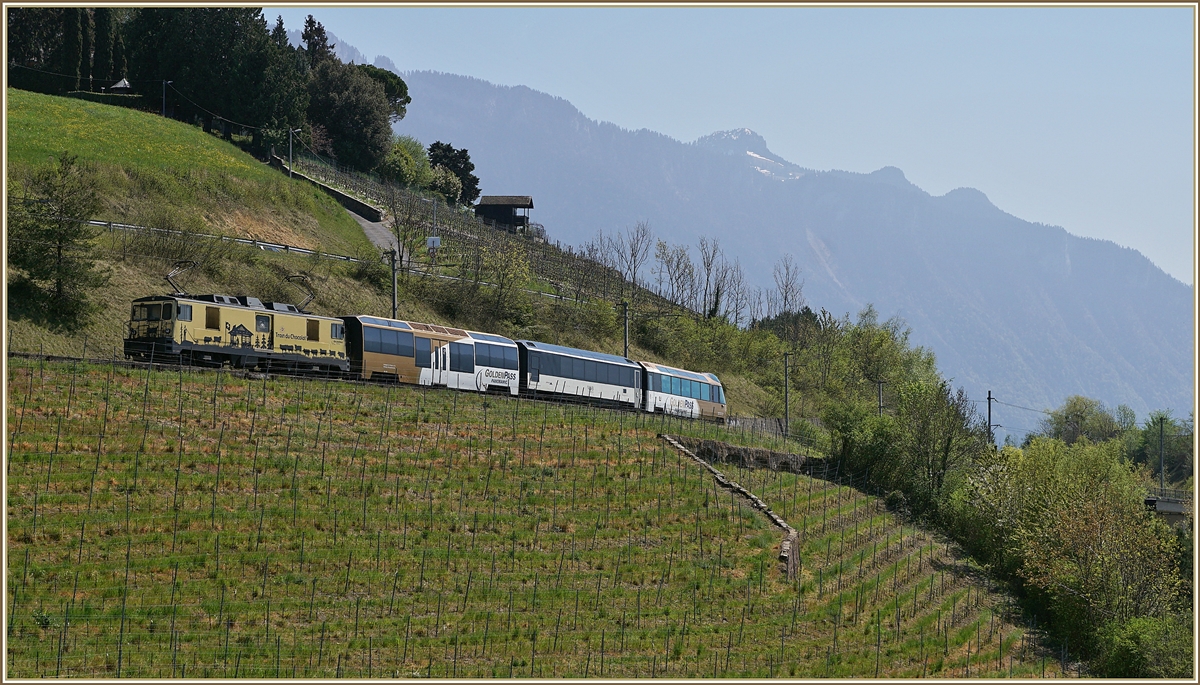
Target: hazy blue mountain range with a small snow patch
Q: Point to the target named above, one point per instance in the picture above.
(1024, 310)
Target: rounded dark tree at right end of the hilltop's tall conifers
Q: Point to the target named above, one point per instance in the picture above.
(352, 109)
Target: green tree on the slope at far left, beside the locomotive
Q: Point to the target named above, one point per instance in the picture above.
(50, 241)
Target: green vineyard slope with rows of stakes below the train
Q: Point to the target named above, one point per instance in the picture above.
(181, 524)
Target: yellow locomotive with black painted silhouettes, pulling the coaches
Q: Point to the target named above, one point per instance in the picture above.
(243, 332)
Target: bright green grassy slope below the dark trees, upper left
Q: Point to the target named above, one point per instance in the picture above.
(165, 173)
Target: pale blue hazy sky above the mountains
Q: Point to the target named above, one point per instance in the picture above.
(1082, 118)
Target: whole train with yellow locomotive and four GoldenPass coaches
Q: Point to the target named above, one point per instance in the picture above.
(251, 334)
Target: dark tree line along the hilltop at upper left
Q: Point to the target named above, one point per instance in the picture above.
(227, 69)
